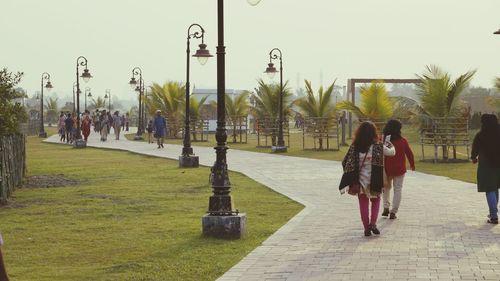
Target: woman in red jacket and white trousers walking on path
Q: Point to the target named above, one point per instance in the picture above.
(395, 167)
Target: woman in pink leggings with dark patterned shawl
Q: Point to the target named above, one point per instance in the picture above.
(364, 173)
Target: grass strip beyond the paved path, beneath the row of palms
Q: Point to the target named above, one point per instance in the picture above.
(460, 171)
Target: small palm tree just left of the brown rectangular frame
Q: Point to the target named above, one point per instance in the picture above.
(320, 107)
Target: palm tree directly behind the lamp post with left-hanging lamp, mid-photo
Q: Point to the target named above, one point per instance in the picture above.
(266, 100)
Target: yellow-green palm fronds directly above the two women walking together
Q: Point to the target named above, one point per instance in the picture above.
(376, 105)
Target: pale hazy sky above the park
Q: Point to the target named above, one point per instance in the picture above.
(340, 38)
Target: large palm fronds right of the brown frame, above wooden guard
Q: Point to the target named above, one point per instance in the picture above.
(439, 95)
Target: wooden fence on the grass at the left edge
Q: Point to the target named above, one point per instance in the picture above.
(12, 164)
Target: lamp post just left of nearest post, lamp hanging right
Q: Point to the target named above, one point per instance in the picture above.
(188, 159)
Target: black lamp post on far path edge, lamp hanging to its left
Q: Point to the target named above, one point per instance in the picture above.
(271, 72)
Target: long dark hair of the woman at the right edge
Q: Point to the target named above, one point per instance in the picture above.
(488, 139)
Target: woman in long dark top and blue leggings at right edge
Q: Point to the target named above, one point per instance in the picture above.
(486, 146)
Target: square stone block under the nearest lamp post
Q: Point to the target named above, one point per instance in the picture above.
(227, 227)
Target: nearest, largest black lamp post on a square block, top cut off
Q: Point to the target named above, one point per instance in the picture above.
(222, 220)
